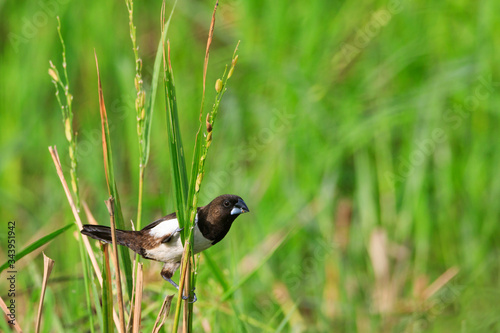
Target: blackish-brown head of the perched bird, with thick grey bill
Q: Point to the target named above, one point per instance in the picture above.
(215, 219)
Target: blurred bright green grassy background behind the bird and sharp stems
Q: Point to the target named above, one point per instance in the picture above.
(360, 134)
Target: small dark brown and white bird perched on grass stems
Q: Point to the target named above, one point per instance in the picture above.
(160, 240)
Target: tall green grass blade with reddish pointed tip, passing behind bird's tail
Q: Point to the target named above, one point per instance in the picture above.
(110, 179)
